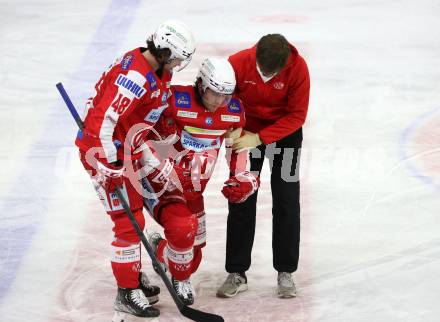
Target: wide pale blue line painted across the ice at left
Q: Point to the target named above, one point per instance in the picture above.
(19, 227)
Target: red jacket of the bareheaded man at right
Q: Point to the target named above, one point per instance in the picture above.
(279, 107)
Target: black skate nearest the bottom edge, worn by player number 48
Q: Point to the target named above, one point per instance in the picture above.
(134, 302)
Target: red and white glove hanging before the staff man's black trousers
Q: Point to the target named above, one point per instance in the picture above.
(239, 187)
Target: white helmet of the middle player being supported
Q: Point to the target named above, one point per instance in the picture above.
(218, 75)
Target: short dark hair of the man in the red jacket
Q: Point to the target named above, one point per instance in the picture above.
(272, 53)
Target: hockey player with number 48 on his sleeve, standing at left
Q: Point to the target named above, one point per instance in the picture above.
(128, 100)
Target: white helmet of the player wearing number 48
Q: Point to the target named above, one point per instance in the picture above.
(177, 37)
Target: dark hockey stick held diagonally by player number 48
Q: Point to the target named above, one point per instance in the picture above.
(190, 313)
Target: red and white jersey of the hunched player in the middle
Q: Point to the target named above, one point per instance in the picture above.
(201, 132)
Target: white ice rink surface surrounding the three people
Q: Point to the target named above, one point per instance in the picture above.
(370, 166)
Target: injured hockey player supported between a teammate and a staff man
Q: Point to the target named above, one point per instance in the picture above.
(203, 116)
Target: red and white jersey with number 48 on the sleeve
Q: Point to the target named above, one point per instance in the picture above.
(129, 99)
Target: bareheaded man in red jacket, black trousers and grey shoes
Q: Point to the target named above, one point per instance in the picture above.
(273, 83)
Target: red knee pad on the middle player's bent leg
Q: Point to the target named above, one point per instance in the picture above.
(180, 226)
